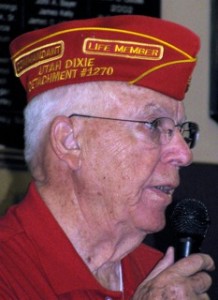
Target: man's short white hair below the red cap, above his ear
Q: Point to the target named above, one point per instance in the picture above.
(77, 98)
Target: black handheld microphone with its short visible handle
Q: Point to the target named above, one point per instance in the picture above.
(189, 222)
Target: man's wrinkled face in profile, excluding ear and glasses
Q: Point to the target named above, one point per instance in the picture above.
(127, 179)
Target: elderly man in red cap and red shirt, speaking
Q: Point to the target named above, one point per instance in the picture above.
(106, 134)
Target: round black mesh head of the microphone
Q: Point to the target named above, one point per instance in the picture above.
(190, 218)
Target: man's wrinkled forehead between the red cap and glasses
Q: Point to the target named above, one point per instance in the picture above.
(122, 98)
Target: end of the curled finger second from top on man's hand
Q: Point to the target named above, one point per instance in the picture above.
(201, 282)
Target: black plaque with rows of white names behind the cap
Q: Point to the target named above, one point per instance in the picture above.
(20, 16)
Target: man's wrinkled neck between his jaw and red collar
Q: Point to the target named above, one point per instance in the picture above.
(101, 249)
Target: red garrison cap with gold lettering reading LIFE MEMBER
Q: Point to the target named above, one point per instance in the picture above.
(140, 50)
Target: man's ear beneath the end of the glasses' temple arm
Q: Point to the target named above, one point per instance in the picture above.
(64, 141)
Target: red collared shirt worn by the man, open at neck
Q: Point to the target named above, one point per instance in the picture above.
(37, 261)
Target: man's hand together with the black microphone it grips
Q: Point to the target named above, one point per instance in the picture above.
(187, 279)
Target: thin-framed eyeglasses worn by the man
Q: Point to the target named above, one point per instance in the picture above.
(160, 130)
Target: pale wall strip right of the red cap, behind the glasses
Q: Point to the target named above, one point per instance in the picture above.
(195, 14)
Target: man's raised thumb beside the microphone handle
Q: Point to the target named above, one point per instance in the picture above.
(164, 263)
